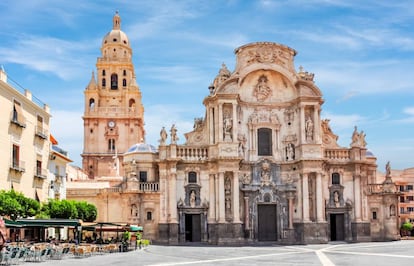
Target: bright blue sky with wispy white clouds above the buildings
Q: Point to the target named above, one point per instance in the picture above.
(361, 53)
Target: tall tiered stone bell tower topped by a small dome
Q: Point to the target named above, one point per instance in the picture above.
(113, 119)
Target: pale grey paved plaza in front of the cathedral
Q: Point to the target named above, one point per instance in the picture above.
(341, 254)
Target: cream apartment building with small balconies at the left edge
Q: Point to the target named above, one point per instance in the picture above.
(24, 140)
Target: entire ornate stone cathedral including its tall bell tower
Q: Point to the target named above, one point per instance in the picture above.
(260, 166)
